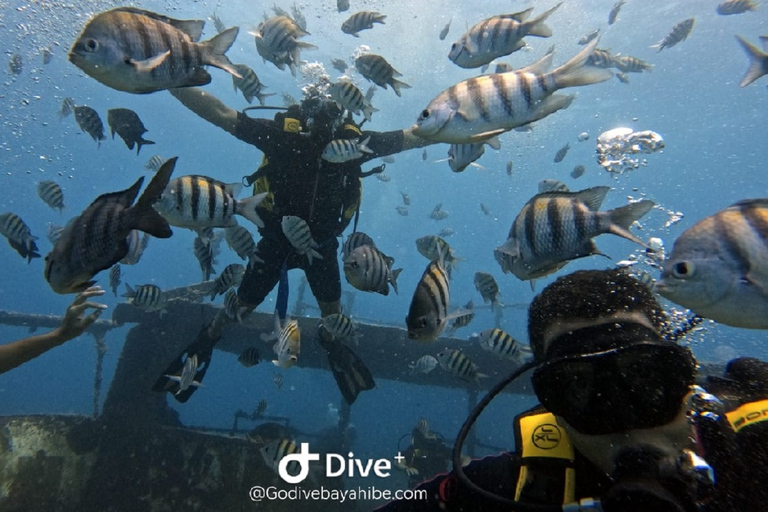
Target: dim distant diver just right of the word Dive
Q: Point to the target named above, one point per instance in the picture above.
(426, 456)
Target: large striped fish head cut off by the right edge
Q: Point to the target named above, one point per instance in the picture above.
(719, 267)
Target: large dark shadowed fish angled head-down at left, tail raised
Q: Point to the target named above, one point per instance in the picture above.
(97, 238)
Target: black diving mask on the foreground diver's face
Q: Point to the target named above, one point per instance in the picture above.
(634, 386)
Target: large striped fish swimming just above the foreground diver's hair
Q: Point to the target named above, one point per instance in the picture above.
(556, 227)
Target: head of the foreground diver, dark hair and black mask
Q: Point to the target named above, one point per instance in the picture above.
(605, 368)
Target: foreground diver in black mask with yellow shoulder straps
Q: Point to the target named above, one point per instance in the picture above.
(622, 424)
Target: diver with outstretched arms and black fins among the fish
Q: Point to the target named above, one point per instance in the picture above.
(297, 182)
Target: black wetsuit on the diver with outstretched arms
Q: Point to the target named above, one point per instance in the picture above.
(300, 183)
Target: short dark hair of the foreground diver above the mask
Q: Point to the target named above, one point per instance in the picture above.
(588, 295)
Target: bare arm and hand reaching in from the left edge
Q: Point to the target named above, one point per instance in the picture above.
(75, 322)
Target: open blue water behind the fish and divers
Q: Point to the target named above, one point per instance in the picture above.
(714, 156)
